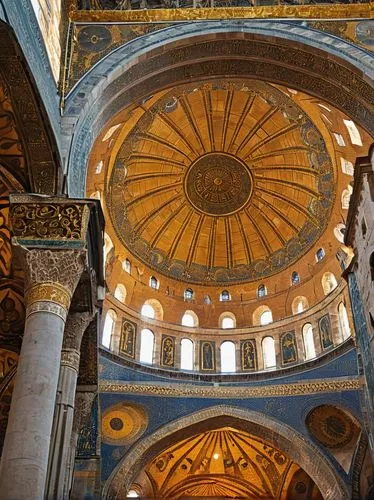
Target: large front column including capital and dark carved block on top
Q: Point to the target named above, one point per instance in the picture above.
(50, 239)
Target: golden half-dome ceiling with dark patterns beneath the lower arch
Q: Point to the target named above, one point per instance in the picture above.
(226, 463)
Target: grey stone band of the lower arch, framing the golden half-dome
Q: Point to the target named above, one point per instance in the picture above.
(302, 451)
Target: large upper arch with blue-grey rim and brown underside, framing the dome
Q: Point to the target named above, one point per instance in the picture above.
(268, 51)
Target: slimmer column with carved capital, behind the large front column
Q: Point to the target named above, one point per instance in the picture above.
(60, 450)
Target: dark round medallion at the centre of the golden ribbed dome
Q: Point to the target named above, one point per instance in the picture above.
(218, 184)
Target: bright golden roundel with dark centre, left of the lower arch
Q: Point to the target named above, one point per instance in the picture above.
(123, 423)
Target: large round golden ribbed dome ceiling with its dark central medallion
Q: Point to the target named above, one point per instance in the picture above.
(220, 182)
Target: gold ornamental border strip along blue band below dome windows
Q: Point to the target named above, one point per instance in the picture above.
(180, 390)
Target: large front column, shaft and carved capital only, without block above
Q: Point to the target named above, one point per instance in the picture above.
(50, 280)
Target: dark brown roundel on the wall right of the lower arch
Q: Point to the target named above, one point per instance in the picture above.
(330, 426)
